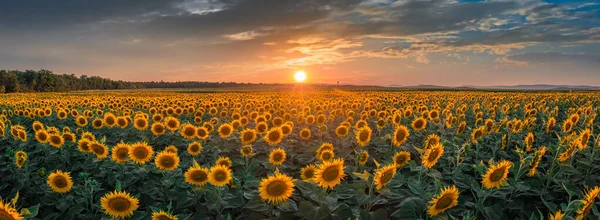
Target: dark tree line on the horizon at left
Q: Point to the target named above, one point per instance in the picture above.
(47, 81)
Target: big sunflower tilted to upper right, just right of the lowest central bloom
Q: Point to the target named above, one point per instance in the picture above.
(330, 174)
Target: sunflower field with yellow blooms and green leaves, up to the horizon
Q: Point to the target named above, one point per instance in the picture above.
(299, 155)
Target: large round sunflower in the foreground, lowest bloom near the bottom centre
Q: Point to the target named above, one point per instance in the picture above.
(276, 188)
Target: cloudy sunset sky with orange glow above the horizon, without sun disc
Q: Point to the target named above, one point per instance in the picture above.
(363, 42)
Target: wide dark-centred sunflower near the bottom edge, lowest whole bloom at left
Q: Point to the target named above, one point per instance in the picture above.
(119, 204)
